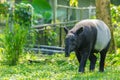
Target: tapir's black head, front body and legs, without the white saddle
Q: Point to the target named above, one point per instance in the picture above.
(81, 39)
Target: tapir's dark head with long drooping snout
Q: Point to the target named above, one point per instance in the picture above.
(71, 41)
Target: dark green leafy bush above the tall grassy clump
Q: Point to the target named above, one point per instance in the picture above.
(24, 14)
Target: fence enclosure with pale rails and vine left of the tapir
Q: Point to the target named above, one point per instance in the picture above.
(63, 15)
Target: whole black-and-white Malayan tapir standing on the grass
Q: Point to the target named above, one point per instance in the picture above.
(87, 37)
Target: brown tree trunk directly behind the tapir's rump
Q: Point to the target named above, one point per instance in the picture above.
(103, 13)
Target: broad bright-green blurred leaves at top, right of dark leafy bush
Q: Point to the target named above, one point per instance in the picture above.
(42, 11)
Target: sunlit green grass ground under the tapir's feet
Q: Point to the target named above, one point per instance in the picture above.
(55, 67)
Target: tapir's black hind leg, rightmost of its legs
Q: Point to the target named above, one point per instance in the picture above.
(102, 58)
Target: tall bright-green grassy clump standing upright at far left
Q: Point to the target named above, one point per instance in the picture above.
(14, 42)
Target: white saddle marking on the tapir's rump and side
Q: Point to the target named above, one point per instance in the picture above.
(103, 35)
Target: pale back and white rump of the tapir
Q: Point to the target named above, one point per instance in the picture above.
(103, 32)
